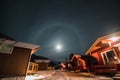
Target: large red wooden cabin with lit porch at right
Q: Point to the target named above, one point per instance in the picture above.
(106, 50)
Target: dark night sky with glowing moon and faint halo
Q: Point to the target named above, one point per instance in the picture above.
(72, 24)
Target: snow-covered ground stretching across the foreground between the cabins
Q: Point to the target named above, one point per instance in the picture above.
(63, 75)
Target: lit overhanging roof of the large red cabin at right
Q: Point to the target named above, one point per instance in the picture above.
(101, 41)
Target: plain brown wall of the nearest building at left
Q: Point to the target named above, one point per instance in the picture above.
(15, 64)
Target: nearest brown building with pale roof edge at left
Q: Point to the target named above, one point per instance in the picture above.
(15, 57)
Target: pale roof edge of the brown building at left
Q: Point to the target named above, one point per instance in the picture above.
(7, 45)
